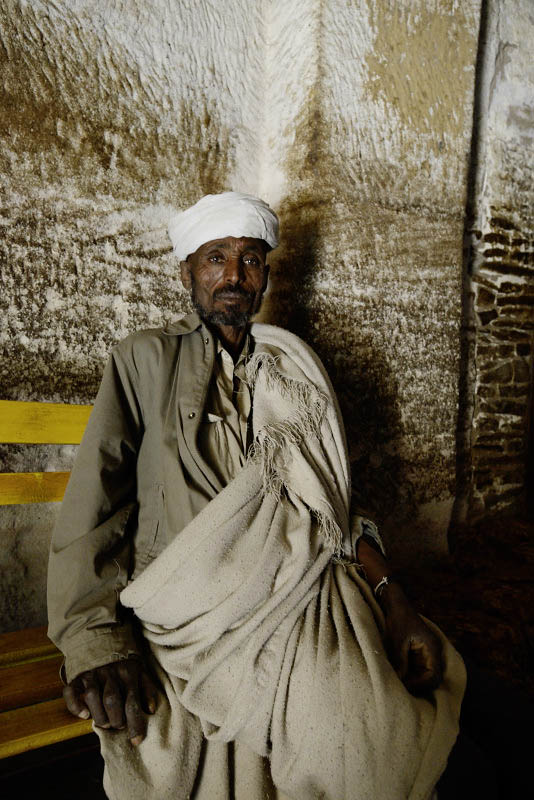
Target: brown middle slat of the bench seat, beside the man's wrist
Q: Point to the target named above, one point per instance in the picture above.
(29, 683)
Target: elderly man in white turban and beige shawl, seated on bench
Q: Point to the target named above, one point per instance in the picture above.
(206, 547)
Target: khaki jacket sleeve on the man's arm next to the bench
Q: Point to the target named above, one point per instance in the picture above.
(90, 549)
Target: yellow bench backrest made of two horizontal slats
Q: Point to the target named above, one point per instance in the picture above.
(38, 423)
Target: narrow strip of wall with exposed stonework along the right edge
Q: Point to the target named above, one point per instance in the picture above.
(502, 265)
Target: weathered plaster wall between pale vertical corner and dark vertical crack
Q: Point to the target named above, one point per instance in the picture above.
(375, 213)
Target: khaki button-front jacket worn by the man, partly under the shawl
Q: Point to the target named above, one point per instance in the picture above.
(138, 475)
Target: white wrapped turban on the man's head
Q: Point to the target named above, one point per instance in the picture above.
(218, 215)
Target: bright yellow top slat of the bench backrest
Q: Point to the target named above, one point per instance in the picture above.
(42, 423)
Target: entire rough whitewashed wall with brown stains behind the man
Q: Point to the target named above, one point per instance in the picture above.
(354, 119)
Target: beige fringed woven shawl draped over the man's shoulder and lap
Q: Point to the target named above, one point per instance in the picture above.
(261, 636)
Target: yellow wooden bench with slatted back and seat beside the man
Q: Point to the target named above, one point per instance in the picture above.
(32, 710)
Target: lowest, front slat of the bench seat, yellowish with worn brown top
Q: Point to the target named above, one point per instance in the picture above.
(39, 725)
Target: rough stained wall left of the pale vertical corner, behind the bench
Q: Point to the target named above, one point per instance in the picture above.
(110, 112)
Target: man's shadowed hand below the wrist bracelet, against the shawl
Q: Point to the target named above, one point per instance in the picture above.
(414, 650)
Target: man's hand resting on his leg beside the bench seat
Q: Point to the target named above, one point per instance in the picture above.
(116, 695)
